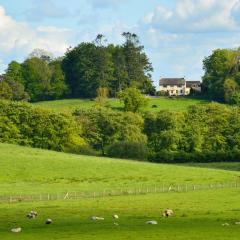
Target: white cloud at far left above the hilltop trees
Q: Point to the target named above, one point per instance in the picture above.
(20, 37)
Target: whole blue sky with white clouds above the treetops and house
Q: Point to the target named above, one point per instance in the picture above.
(176, 34)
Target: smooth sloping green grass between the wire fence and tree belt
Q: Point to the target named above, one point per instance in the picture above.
(26, 170)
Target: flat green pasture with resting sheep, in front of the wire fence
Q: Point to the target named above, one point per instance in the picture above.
(198, 215)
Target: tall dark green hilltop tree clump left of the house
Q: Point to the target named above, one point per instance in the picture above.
(80, 72)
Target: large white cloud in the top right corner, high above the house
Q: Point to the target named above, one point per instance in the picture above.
(190, 16)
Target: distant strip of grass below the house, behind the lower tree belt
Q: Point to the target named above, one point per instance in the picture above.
(161, 103)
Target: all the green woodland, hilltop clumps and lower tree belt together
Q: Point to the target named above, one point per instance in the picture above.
(98, 70)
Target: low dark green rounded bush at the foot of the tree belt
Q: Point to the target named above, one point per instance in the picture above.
(130, 150)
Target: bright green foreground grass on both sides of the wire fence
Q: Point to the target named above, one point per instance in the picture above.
(198, 214)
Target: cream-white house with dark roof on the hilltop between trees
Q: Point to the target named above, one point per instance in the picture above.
(178, 86)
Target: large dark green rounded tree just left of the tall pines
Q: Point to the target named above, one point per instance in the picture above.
(87, 67)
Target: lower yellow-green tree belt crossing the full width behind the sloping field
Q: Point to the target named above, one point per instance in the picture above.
(209, 132)
